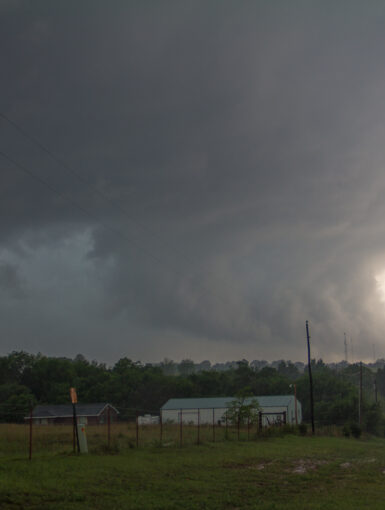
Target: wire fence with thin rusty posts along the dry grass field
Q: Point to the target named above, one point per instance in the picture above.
(129, 429)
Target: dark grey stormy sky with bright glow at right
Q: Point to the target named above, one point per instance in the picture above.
(217, 178)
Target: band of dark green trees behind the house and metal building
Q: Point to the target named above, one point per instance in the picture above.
(28, 379)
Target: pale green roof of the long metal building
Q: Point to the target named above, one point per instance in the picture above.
(223, 402)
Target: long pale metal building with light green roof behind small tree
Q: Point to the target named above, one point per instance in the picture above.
(272, 410)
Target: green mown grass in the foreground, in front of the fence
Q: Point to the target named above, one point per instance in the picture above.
(290, 473)
